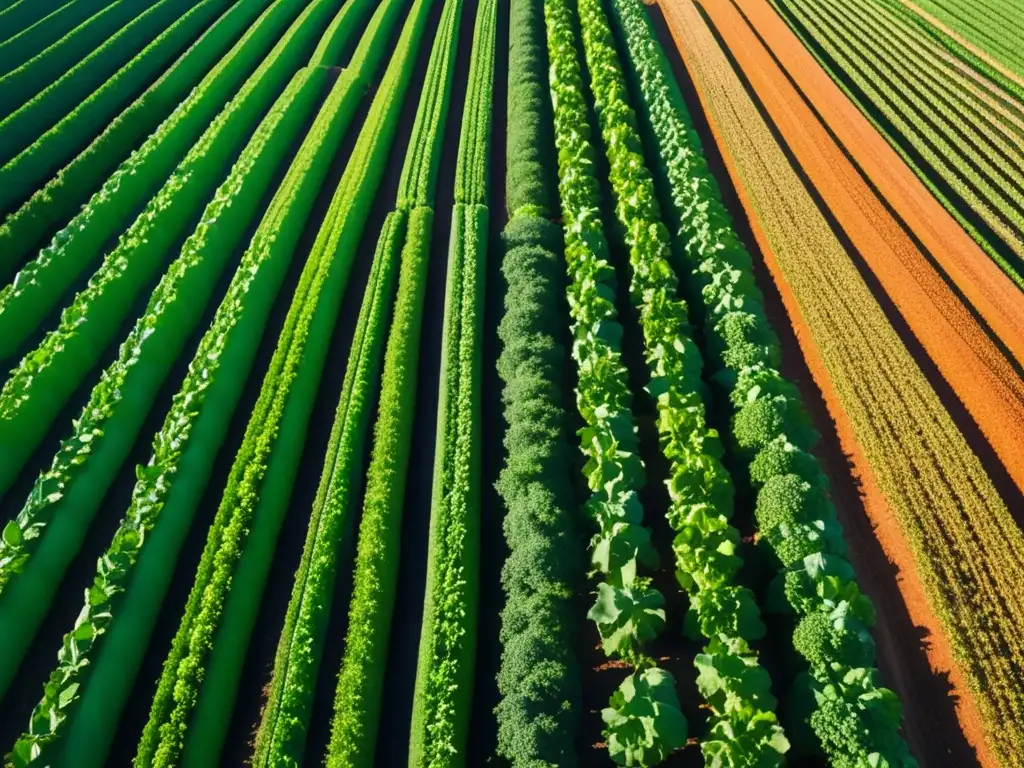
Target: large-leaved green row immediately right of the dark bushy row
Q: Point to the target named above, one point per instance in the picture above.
(645, 721)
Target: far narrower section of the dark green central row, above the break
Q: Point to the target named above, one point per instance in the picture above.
(530, 185)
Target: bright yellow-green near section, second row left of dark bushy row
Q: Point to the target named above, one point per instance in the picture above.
(361, 682)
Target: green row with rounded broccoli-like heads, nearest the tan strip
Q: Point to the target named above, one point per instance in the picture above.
(856, 719)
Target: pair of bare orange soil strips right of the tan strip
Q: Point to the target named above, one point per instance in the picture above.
(980, 373)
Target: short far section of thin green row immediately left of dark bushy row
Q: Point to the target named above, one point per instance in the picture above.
(475, 142)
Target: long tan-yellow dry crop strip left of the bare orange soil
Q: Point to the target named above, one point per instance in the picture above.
(948, 530)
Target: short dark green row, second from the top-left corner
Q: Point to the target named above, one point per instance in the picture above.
(33, 75)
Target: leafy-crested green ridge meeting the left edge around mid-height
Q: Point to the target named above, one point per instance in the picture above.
(47, 376)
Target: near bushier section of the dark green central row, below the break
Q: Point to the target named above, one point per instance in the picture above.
(539, 678)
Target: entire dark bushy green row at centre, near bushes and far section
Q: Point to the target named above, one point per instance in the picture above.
(539, 677)
